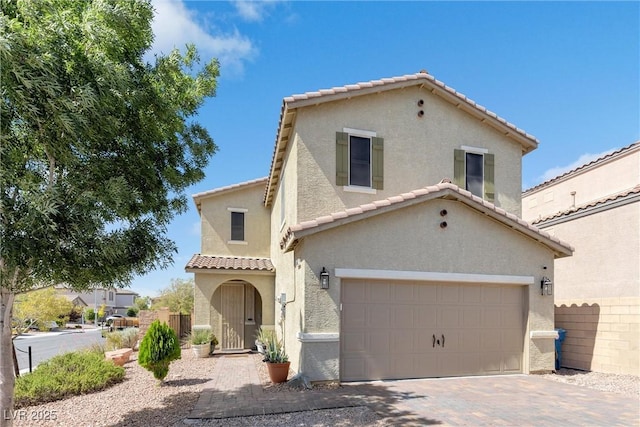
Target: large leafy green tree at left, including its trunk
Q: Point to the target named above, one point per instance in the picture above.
(96, 148)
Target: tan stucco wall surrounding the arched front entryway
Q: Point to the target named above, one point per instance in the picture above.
(206, 310)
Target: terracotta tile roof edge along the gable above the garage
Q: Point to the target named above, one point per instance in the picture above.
(444, 190)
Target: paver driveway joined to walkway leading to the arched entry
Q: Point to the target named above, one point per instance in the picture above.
(514, 400)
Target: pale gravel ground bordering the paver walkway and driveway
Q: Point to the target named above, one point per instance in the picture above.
(139, 401)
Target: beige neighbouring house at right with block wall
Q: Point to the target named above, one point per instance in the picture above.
(597, 208)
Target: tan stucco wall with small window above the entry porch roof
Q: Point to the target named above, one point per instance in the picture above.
(215, 219)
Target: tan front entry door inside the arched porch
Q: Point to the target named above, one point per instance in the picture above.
(232, 316)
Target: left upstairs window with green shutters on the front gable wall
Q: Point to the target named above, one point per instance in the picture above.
(359, 159)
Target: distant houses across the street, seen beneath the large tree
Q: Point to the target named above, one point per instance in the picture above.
(116, 301)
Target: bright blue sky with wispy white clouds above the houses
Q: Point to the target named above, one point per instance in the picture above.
(567, 73)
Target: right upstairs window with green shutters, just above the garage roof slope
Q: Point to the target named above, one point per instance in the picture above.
(474, 171)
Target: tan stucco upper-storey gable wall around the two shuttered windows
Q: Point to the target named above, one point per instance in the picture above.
(417, 151)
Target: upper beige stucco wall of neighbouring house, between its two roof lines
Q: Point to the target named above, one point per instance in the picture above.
(591, 183)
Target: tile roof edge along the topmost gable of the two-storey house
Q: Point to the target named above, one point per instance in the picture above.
(290, 103)
